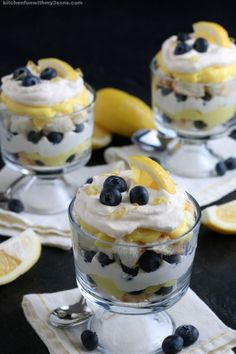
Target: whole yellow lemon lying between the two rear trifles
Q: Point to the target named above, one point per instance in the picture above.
(122, 113)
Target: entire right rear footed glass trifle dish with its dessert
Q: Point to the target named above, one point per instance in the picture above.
(194, 94)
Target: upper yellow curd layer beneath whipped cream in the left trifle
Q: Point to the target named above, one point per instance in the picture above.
(41, 115)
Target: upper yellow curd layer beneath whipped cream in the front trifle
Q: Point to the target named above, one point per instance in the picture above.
(140, 236)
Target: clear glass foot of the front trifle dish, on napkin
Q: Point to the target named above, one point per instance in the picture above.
(122, 334)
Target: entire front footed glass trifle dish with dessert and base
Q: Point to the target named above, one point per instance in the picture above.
(134, 240)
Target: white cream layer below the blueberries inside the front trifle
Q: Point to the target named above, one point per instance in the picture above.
(166, 272)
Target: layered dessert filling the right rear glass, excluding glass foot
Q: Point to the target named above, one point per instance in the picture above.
(194, 79)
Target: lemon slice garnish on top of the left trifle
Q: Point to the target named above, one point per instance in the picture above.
(63, 69)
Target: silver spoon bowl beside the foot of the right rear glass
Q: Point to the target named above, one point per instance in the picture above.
(153, 140)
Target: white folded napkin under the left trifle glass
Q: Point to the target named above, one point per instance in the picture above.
(53, 229)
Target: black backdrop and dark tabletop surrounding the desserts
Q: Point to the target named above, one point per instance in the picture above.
(113, 42)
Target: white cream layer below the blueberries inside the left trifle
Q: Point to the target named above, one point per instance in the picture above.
(19, 143)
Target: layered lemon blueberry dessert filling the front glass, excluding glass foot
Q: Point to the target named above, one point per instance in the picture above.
(134, 233)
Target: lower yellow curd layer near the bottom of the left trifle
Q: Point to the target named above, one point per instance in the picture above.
(57, 160)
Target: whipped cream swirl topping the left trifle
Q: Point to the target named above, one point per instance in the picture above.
(46, 93)
